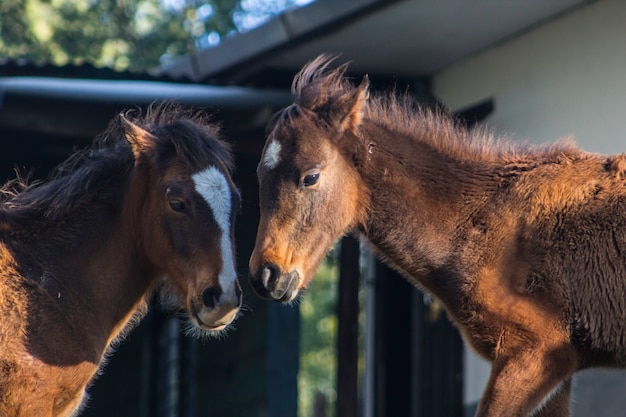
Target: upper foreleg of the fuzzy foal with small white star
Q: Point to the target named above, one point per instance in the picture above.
(530, 380)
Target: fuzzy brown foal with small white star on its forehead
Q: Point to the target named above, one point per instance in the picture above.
(525, 246)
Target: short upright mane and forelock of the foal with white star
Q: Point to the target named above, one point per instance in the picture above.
(318, 86)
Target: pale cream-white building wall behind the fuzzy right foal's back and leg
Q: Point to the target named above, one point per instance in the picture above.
(566, 77)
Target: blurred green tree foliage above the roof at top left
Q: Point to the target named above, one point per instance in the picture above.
(131, 35)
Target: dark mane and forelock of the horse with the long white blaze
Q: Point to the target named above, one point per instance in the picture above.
(109, 160)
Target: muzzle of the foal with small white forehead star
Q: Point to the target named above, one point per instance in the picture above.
(271, 283)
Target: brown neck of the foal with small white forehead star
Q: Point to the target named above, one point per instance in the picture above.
(419, 202)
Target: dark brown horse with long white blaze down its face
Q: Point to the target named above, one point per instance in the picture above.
(151, 202)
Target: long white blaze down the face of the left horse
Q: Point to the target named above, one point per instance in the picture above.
(212, 185)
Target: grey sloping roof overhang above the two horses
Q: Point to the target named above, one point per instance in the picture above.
(407, 38)
